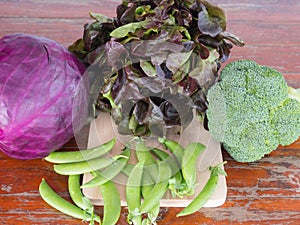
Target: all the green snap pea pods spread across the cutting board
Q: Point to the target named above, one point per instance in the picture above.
(155, 172)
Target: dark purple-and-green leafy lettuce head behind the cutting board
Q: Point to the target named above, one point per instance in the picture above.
(150, 54)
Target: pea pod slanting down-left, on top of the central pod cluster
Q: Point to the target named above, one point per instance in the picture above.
(159, 189)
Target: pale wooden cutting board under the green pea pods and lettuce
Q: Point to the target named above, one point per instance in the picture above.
(103, 129)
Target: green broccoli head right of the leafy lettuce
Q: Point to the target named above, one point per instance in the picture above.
(252, 110)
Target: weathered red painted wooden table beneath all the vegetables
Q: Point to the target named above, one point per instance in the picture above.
(265, 192)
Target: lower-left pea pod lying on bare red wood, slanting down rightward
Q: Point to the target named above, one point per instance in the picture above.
(62, 205)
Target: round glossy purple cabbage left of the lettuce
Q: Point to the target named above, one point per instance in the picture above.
(43, 96)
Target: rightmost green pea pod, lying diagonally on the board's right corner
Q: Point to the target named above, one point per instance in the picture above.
(205, 193)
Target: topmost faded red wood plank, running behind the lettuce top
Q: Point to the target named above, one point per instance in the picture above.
(241, 10)
